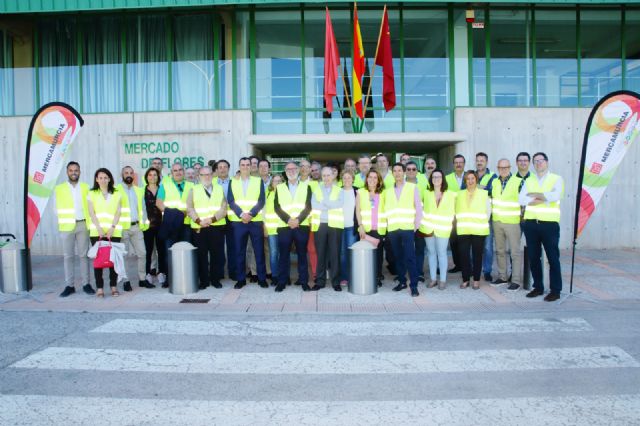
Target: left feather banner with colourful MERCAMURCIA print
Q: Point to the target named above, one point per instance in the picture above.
(53, 129)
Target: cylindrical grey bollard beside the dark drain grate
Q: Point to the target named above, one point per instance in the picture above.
(183, 269)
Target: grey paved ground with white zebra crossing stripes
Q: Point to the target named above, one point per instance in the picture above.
(254, 357)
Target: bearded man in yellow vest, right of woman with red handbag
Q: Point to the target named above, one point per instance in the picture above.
(134, 223)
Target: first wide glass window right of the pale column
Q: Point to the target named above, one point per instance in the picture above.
(511, 65)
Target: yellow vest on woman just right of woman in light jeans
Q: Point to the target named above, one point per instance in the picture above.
(472, 218)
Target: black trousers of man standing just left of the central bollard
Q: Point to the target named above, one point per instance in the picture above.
(328, 242)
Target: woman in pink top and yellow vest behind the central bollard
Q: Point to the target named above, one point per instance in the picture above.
(372, 220)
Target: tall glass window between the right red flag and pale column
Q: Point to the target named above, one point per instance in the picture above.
(426, 63)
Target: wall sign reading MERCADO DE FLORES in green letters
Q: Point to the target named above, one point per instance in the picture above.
(184, 147)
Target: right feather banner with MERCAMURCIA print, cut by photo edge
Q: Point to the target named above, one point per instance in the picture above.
(613, 128)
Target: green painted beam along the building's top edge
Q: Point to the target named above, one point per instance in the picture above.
(48, 6)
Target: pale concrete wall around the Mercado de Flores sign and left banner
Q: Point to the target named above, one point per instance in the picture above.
(97, 146)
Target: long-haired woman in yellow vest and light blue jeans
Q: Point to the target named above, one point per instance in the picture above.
(437, 223)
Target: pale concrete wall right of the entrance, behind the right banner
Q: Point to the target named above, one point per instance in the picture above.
(559, 132)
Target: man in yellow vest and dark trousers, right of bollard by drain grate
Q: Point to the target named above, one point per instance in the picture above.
(207, 209)
